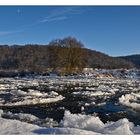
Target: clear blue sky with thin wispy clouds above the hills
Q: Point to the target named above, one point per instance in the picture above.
(112, 30)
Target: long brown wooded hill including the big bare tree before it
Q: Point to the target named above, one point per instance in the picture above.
(65, 55)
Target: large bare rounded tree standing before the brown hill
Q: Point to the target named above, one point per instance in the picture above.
(71, 54)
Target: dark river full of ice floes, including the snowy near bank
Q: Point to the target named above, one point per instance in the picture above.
(86, 104)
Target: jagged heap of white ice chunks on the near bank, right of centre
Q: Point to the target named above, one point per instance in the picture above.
(93, 123)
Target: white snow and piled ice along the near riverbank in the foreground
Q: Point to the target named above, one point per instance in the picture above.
(71, 124)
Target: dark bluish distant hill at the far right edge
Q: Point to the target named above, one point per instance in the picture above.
(135, 59)
